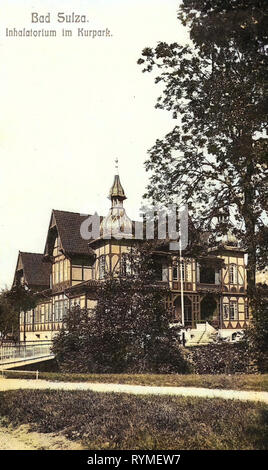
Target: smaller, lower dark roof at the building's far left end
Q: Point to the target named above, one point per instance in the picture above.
(36, 271)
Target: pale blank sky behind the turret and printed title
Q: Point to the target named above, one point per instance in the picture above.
(69, 107)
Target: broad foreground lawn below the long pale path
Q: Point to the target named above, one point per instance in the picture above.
(102, 421)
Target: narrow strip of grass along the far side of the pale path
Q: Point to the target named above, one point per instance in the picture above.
(258, 382)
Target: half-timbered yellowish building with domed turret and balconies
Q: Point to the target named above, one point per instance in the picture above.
(66, 274)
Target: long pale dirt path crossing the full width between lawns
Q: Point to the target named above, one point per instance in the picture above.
(14, 384)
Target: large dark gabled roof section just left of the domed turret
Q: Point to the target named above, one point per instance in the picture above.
(68, 226)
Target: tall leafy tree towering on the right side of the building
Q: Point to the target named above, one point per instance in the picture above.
(216, 155)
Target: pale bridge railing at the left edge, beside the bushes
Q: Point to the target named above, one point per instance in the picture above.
(24, 351)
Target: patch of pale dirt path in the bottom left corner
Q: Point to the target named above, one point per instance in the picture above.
(21, 438)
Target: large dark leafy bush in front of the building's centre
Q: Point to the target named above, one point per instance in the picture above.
(128, 330)
